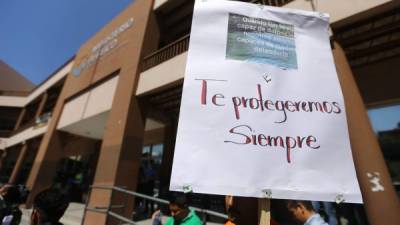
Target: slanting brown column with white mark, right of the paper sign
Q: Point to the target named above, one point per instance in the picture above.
(380, 200)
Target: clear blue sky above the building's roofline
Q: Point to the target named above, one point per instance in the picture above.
(37, 37)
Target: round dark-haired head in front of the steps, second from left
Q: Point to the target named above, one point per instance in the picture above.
(48, 207)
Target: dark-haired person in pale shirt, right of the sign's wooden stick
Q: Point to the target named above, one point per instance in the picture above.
(303, 212)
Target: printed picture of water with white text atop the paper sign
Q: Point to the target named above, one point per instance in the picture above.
(261, 41)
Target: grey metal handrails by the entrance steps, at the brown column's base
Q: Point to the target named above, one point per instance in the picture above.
(108, 209)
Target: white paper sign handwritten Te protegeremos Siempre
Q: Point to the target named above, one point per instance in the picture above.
(262, 112)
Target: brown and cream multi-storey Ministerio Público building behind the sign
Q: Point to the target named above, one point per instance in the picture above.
(113, 108)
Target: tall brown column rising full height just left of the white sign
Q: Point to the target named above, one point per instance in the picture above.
(119, 159)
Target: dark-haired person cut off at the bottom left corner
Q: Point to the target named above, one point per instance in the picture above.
(11, 196)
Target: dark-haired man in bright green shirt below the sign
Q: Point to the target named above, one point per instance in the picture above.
(180, 213)
